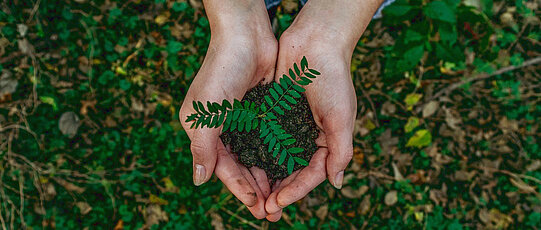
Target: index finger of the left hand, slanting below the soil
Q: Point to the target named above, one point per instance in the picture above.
(230, 174)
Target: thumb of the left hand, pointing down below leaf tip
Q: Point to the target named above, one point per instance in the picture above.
(203, 148)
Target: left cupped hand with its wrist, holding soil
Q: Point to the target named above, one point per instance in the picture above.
(240, 55)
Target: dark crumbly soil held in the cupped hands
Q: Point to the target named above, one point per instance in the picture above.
(298, 122)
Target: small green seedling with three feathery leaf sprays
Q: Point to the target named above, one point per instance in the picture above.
(247, 116)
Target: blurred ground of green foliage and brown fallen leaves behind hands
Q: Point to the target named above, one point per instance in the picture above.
(425, 156)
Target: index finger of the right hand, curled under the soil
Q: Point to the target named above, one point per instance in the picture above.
(309, 178)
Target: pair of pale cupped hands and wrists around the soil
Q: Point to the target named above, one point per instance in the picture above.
(243, 52)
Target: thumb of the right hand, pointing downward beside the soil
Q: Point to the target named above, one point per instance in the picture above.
(340, 144)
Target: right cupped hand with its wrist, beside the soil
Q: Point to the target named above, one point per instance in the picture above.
(326, 32)
